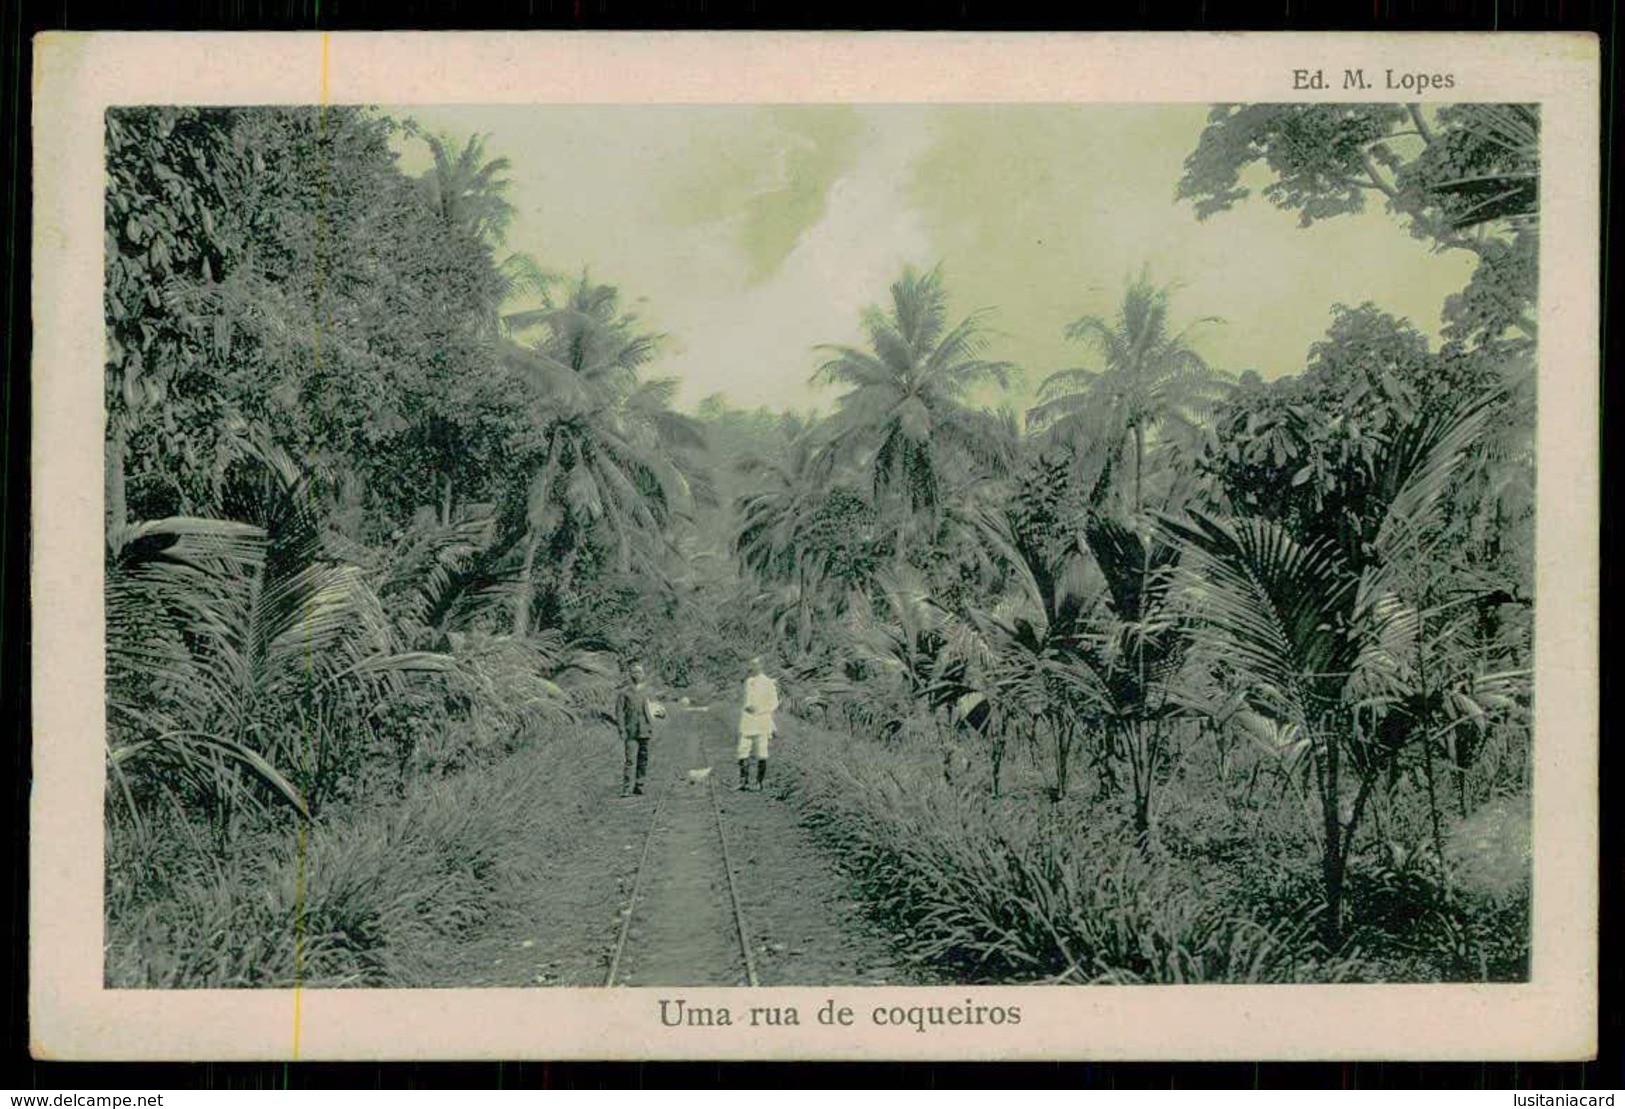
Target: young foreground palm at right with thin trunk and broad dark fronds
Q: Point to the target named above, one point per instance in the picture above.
(1315, 627)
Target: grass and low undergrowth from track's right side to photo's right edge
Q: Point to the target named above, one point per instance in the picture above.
(1016, 889)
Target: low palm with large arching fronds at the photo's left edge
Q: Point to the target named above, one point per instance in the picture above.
(245, 645)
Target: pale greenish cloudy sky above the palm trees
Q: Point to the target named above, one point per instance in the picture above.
(753, 235)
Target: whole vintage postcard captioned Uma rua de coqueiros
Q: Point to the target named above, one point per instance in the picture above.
(815, 547)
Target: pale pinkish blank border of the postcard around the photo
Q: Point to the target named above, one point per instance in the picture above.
(79, 76)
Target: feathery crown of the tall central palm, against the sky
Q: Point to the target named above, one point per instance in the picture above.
(909, 417)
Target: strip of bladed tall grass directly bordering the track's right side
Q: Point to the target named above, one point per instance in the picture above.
(1018, 890)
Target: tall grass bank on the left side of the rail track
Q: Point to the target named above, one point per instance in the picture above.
(376, 898)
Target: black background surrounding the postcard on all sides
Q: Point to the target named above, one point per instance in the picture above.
(22, 19)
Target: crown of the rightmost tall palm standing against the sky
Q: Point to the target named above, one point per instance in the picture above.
(1151, 385)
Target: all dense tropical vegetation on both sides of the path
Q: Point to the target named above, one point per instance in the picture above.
(1176, 676)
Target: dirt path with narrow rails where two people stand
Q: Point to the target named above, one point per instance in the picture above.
(800, 916)
